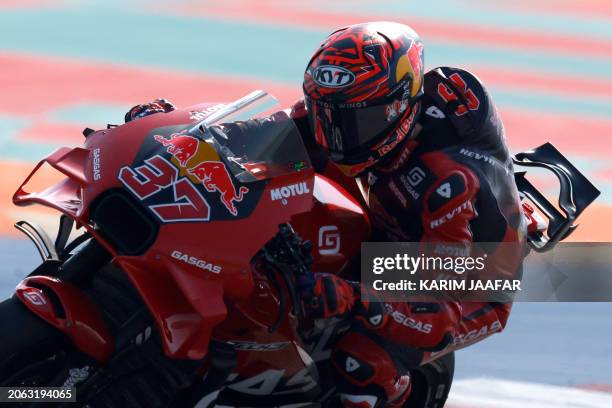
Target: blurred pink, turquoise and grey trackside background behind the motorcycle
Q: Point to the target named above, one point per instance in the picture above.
(65, 65)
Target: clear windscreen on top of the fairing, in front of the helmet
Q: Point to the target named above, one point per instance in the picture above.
(256, 147)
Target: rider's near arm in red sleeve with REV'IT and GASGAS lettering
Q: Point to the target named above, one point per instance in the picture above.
(448, 207)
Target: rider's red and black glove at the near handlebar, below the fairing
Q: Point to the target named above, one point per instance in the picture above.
(329, 296)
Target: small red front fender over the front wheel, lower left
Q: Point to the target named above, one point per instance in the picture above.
(69, 310)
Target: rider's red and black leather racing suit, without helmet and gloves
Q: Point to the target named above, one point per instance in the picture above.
(452, 182)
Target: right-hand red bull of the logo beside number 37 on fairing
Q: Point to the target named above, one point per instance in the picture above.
(215, 177)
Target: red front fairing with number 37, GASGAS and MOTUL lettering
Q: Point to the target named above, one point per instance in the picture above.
(181, 210)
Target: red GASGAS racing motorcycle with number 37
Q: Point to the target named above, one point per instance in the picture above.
(179, 287)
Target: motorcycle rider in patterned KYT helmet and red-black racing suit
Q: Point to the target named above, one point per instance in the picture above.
(428, 154)
